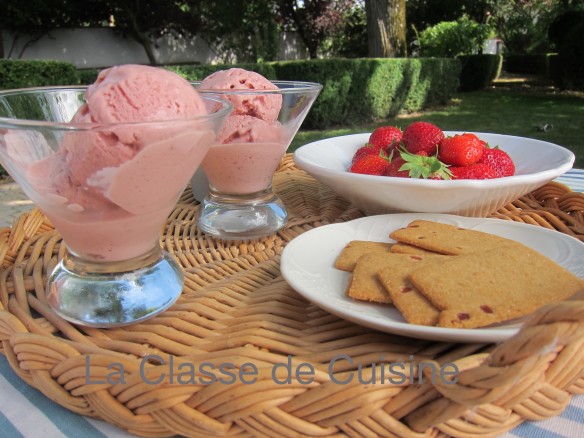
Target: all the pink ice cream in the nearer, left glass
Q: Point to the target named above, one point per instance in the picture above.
(110, 189)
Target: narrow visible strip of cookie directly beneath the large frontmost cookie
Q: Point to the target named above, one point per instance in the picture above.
(414, 307)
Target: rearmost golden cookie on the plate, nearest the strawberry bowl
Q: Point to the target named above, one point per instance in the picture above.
(447, 239)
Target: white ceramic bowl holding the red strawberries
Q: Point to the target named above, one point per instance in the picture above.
(537, 162)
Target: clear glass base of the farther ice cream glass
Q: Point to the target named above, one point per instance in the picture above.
(242, 217)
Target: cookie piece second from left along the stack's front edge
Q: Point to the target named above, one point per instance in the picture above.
(364, 284)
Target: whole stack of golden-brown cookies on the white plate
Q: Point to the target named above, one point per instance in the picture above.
(441, 275)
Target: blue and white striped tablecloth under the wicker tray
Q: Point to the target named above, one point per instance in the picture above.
(25, 412)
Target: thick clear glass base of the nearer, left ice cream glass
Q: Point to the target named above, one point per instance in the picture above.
(114, 294)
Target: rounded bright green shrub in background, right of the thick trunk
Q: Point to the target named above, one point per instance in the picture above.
(452, 38)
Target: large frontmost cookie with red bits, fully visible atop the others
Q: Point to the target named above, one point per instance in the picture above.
(480, 289)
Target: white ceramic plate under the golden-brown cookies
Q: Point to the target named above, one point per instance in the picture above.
(307, 264)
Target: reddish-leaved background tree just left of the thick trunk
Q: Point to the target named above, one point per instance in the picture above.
(313, 20)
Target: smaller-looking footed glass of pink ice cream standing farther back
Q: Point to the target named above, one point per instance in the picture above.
(240, 203)
